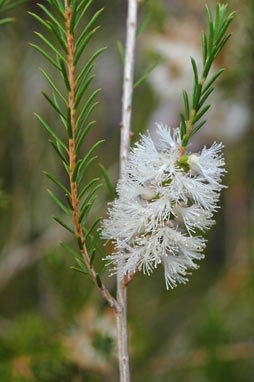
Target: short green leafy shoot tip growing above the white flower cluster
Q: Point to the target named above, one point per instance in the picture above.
(211, 47)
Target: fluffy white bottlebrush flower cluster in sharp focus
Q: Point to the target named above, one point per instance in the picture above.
(165, 201)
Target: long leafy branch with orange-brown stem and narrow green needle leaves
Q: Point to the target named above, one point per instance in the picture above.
(65, 57)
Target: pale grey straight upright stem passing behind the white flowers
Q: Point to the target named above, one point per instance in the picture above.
(121, 314)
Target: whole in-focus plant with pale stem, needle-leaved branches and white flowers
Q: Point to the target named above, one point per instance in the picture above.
(165, 196)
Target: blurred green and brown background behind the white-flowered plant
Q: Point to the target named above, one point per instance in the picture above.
(53, 324)
